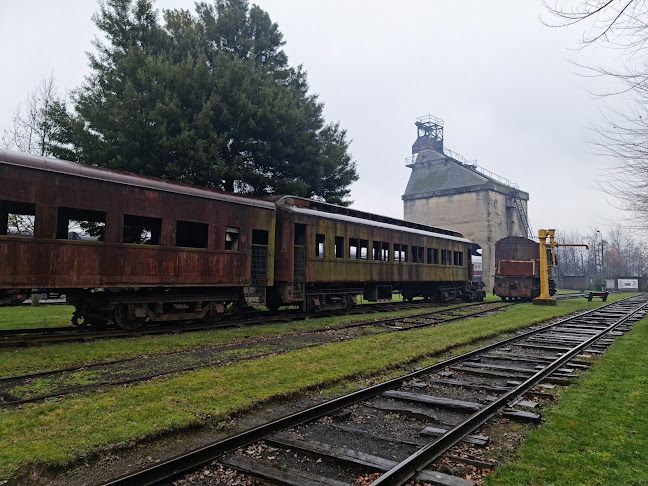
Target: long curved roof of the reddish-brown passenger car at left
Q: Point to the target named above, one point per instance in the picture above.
(58, 166)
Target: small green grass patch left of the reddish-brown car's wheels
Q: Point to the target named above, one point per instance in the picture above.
(28, 317)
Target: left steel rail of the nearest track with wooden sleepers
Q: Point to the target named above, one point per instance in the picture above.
(185, 462)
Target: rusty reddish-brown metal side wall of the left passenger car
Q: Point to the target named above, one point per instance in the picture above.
(43, 261)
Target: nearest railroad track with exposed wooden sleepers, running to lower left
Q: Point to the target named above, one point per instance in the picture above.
(384, 431)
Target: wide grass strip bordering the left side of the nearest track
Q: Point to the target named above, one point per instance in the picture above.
(59, 433)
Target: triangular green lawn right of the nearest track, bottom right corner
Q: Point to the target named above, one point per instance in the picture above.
(598, 432)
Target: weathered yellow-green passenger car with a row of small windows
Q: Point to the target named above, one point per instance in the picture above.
(340, 253)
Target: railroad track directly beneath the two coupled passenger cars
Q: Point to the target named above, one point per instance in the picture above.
(38, 336)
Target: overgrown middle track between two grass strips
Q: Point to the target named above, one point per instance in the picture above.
(179, 361)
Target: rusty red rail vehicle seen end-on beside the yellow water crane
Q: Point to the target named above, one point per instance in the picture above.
(517, 269)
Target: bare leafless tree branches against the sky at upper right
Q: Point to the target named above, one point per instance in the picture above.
(621, 25)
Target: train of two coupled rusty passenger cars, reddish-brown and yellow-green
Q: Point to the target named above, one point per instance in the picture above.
(167, 251)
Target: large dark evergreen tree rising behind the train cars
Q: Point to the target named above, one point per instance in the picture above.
(207, 99)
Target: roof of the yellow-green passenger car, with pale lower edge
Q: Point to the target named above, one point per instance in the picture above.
(309, 207)
